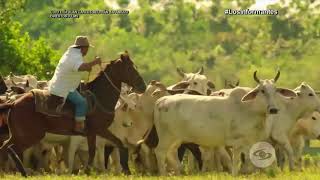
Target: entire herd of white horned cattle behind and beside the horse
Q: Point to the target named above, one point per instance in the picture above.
(217, 126)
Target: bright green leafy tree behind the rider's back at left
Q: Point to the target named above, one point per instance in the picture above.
(19, 53)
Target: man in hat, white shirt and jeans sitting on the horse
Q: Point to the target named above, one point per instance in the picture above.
(67, 78)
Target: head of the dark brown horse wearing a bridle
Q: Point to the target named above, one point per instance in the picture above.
(127, 73)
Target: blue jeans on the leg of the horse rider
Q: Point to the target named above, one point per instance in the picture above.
(81, 105)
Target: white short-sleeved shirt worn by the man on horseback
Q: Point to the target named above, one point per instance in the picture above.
(66, 77)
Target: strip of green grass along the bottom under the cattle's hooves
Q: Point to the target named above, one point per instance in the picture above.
(311, 170)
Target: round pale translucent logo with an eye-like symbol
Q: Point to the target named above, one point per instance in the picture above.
(262, 154)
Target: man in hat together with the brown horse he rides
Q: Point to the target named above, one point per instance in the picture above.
(30, 118)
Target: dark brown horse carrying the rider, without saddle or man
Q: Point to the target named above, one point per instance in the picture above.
(28, 127)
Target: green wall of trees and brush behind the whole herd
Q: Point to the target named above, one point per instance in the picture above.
(161, 39)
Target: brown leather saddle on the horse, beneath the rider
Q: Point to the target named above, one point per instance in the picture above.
(52, 105)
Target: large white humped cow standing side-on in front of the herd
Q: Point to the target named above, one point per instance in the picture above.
(211, 121)
